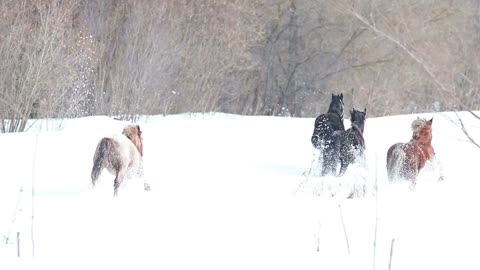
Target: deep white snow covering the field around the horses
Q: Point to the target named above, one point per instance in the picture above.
(230, 192)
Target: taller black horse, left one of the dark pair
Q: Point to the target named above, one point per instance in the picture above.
(325, 136)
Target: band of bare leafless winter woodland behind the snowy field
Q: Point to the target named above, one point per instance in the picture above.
(74, 58)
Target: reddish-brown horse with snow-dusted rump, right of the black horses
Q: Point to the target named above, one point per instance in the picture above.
(405, 160)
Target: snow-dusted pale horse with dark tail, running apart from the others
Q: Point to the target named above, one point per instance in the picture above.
(122, 155)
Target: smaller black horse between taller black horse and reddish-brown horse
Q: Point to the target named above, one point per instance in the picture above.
(352, 143)
